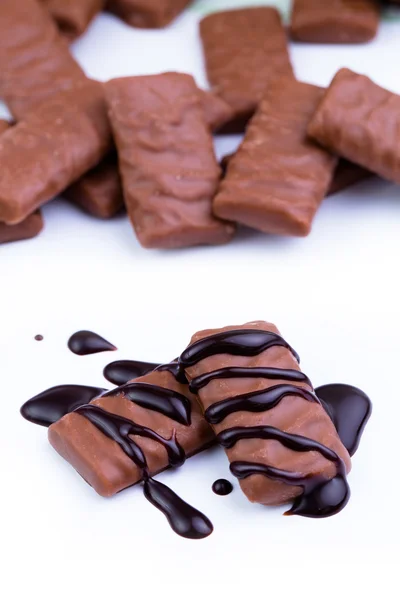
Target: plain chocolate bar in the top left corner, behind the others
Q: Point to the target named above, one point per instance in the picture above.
(35, 62)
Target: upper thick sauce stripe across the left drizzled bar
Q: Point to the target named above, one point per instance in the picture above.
(153, 397)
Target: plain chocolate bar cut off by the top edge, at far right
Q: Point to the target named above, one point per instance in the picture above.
(335, 21)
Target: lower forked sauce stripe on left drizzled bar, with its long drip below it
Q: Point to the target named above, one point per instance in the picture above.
(184, 519)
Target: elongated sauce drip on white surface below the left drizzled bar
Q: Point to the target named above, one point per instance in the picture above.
(184, 519)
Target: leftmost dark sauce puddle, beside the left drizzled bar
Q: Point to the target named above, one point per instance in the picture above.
(52, 404)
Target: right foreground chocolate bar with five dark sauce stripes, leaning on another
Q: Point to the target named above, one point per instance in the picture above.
(280, 441)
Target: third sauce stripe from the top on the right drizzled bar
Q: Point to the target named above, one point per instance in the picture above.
(258, 401)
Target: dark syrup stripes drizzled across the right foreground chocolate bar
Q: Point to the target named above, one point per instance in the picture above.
(320, 497)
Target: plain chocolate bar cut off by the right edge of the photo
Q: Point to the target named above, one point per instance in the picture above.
(360, 121)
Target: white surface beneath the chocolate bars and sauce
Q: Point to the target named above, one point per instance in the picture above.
(335, 297)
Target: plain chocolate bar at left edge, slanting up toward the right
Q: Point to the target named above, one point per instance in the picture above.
(44, 154)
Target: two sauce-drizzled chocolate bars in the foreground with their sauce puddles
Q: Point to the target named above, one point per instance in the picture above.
(239, 386)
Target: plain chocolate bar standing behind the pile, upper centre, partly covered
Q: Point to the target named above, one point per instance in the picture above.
(244, 50)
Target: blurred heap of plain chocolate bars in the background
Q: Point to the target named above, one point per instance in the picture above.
(145, 143)
